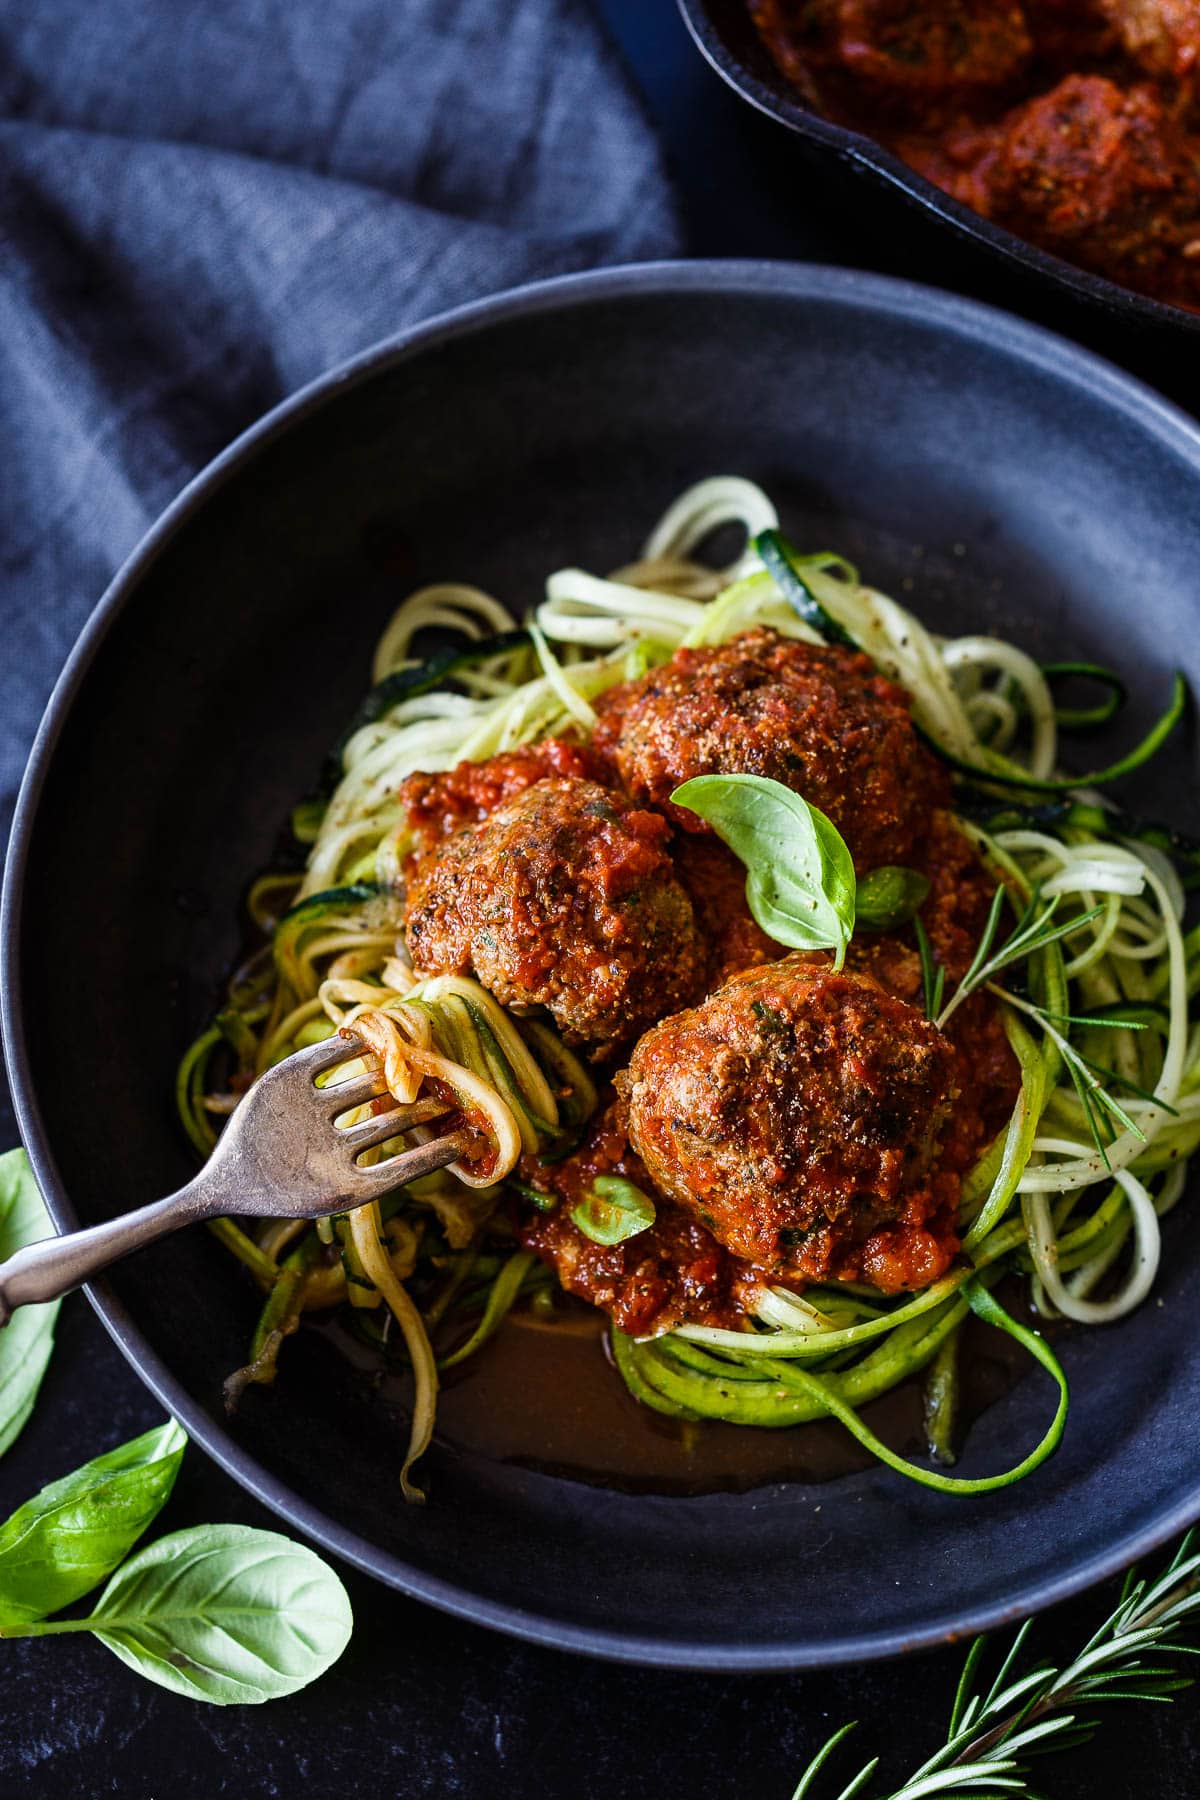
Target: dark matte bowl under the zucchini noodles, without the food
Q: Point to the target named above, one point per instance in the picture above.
(990, 474)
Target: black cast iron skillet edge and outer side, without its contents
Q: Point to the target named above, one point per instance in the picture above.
(728, 39)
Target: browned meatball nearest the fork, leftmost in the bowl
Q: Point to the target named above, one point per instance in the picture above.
(564, 897)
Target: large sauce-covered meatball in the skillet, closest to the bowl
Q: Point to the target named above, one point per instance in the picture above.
(1098, 175)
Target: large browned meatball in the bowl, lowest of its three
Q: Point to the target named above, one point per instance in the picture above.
(798, 1113)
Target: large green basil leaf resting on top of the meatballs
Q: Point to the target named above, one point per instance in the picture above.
(800, 872)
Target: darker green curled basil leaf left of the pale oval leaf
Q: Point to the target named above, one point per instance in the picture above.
(75, 1533)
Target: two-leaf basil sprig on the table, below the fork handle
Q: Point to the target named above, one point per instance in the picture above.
(220, 1612)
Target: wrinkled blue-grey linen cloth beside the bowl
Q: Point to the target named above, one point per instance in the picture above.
(206, 204)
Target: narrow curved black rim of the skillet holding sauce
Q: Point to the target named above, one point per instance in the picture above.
(780, 103)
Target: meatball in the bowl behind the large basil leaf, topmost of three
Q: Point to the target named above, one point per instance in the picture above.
(814, 717)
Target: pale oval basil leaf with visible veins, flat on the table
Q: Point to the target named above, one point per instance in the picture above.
(226, 1614)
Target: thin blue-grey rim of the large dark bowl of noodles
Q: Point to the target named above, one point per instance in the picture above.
(801, 283)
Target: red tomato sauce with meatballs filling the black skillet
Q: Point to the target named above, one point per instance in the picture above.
(1071, 123)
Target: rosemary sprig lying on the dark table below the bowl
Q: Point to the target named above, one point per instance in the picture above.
(994, 1734)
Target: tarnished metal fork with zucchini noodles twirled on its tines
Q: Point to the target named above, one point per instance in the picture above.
(282, 1156)
